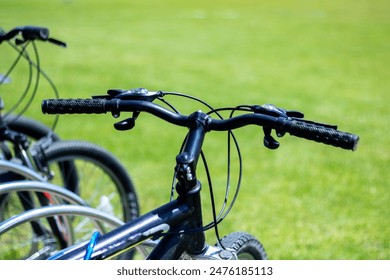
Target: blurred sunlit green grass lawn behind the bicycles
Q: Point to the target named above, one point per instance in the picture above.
(328, 59)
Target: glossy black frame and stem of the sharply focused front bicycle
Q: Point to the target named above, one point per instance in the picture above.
(179, 221)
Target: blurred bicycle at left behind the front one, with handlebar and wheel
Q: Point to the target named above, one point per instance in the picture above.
(74, 160)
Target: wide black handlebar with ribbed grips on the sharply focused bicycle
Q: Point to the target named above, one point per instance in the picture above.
(299, 128)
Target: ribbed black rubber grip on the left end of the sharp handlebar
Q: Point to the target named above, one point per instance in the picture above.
(74, 106)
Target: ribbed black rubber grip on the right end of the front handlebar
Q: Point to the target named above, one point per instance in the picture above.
(322, 134)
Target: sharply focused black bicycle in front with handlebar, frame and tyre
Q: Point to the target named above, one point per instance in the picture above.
(177, 229)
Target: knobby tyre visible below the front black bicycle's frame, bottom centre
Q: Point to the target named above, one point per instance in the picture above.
(246, 246)
